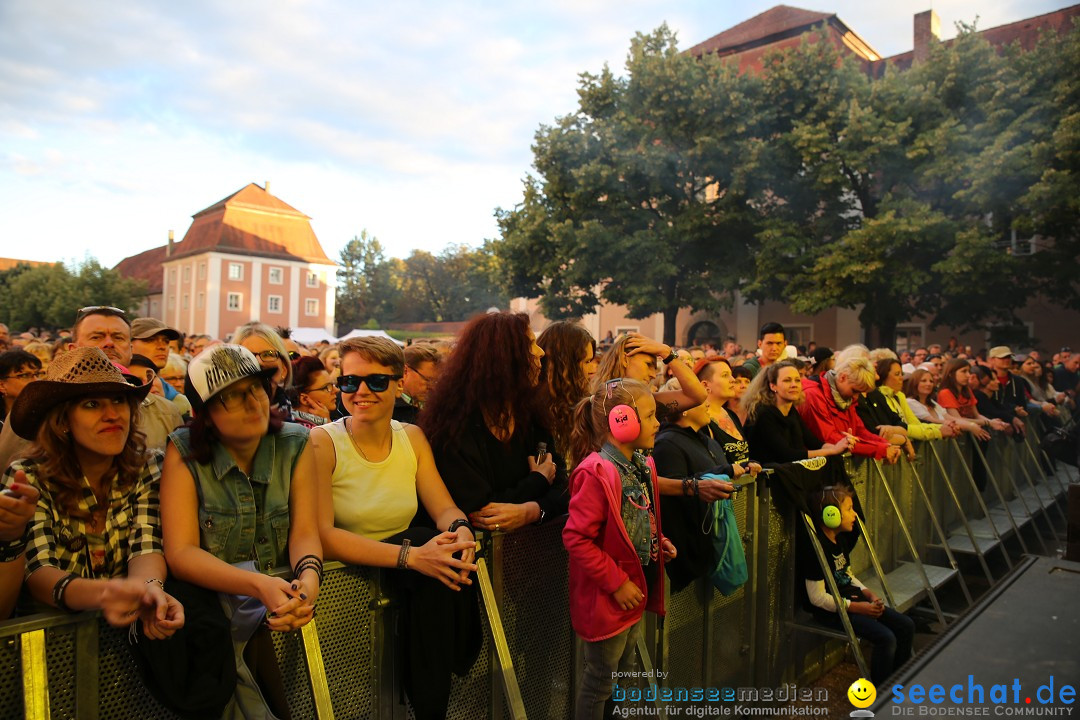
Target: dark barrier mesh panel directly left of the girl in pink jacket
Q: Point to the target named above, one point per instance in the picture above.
(536, 617)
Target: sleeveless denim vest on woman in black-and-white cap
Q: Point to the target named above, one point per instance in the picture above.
(247, 518)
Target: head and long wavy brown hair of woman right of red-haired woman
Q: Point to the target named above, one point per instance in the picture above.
(569, 363)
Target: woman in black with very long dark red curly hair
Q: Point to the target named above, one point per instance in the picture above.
(487, 420)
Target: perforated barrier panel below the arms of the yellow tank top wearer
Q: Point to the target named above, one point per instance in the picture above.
(346, 634)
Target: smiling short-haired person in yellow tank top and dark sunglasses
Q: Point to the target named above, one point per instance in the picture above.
(372, 470)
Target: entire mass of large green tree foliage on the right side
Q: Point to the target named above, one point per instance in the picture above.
(812, 183)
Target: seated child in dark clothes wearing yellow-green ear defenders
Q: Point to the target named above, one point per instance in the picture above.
(890, 632)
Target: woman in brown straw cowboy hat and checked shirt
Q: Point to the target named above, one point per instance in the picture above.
(96, 539)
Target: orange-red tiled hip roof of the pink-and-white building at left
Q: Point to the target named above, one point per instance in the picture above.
(252, 222)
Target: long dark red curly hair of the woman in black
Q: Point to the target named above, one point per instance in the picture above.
(489, 375)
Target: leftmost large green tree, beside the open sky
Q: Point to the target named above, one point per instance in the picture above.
(641, 195)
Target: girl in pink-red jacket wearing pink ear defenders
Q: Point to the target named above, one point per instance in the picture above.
(616, 548)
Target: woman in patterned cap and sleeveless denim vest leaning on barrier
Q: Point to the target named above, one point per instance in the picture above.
(238, 501)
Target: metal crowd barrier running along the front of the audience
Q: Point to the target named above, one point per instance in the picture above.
(925, 522)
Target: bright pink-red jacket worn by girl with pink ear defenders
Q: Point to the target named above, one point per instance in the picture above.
(602, 556)
